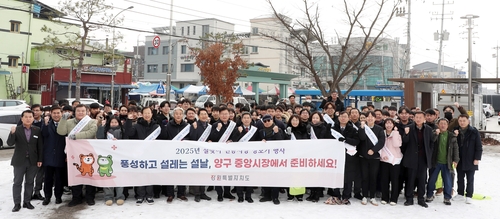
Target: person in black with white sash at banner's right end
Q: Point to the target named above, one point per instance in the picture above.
(343, 131)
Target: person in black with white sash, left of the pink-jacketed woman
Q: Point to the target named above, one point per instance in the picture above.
(374, 140)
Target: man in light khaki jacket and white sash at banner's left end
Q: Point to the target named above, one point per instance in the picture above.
(80, 127)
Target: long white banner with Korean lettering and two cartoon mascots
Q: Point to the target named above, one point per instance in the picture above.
(121, 163)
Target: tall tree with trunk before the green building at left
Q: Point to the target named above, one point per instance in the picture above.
(91, 15)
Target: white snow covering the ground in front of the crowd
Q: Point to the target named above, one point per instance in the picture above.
(486, 184)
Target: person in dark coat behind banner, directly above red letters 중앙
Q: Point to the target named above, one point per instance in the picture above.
(270, 132)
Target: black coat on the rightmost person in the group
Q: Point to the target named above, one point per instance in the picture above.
(470, 148)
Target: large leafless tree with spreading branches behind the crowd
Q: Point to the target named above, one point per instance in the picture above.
(347, 57)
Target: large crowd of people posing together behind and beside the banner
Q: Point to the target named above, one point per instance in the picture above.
(396, 149)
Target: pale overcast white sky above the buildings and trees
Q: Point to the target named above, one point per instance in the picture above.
(147, 14)
